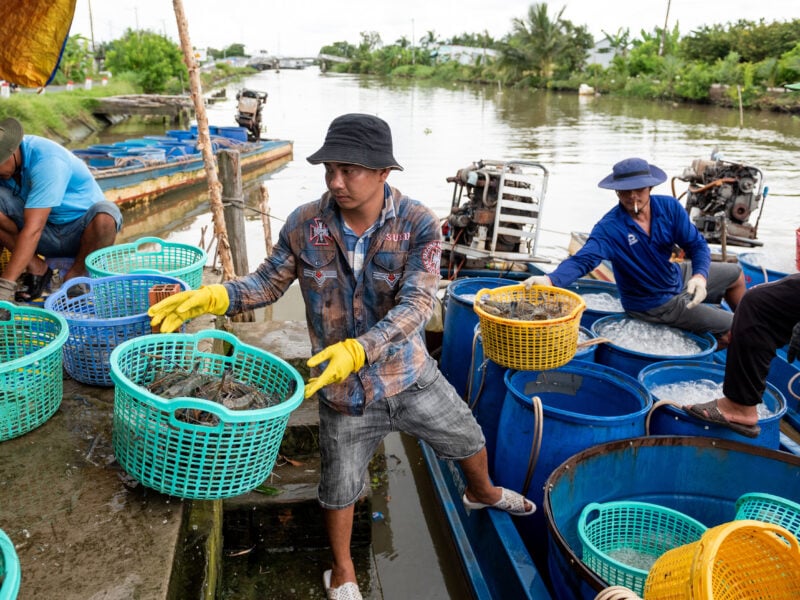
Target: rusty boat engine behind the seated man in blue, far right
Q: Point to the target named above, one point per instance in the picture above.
(721, 199)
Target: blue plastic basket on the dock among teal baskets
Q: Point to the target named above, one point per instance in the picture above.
(113, 310)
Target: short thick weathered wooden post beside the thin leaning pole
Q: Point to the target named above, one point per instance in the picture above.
(230, 173)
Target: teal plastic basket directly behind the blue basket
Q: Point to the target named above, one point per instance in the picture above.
(150, 255)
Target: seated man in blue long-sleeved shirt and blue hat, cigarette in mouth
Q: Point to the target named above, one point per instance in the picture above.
(638, 236)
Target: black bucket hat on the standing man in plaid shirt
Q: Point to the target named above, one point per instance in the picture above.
(358, 139)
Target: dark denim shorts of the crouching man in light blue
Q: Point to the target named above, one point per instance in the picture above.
(63, 239)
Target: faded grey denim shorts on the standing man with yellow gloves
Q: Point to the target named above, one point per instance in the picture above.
(430, 410)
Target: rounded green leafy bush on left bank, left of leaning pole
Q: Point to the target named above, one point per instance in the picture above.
(151, 58)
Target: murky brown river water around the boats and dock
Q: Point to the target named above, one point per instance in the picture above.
(438, 130)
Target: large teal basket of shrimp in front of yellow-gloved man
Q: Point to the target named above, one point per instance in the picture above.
(230, 456)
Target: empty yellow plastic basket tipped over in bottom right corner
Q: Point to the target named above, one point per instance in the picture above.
(740, 560)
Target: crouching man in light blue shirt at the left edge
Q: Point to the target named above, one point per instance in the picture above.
(51, 206)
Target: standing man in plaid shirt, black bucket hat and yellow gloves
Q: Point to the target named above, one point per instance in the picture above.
(367, 260)
